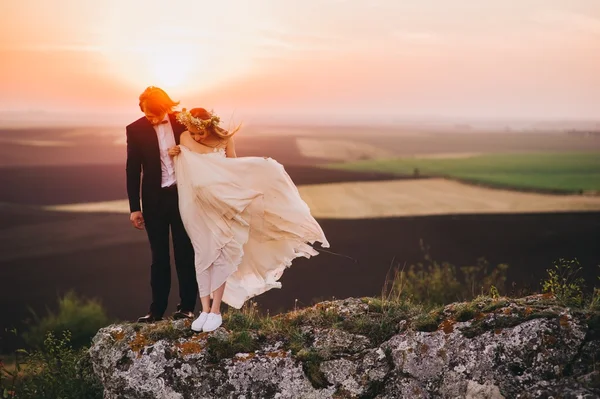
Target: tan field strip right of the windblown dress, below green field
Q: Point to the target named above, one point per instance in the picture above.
(359, 200)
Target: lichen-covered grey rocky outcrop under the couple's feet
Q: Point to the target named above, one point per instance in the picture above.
(361, 348)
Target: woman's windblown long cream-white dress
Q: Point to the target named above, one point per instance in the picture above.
(245, 219)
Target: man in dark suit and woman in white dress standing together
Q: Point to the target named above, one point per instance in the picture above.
(235, 223)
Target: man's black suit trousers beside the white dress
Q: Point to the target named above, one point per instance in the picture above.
(158, 221)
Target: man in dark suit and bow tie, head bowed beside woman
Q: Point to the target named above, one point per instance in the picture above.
(148, 141)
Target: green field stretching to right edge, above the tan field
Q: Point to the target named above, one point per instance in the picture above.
(568, 172)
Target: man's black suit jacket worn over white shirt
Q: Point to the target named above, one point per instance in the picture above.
(143, 163)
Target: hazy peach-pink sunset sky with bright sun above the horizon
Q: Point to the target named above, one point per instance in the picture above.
(309, 59)
